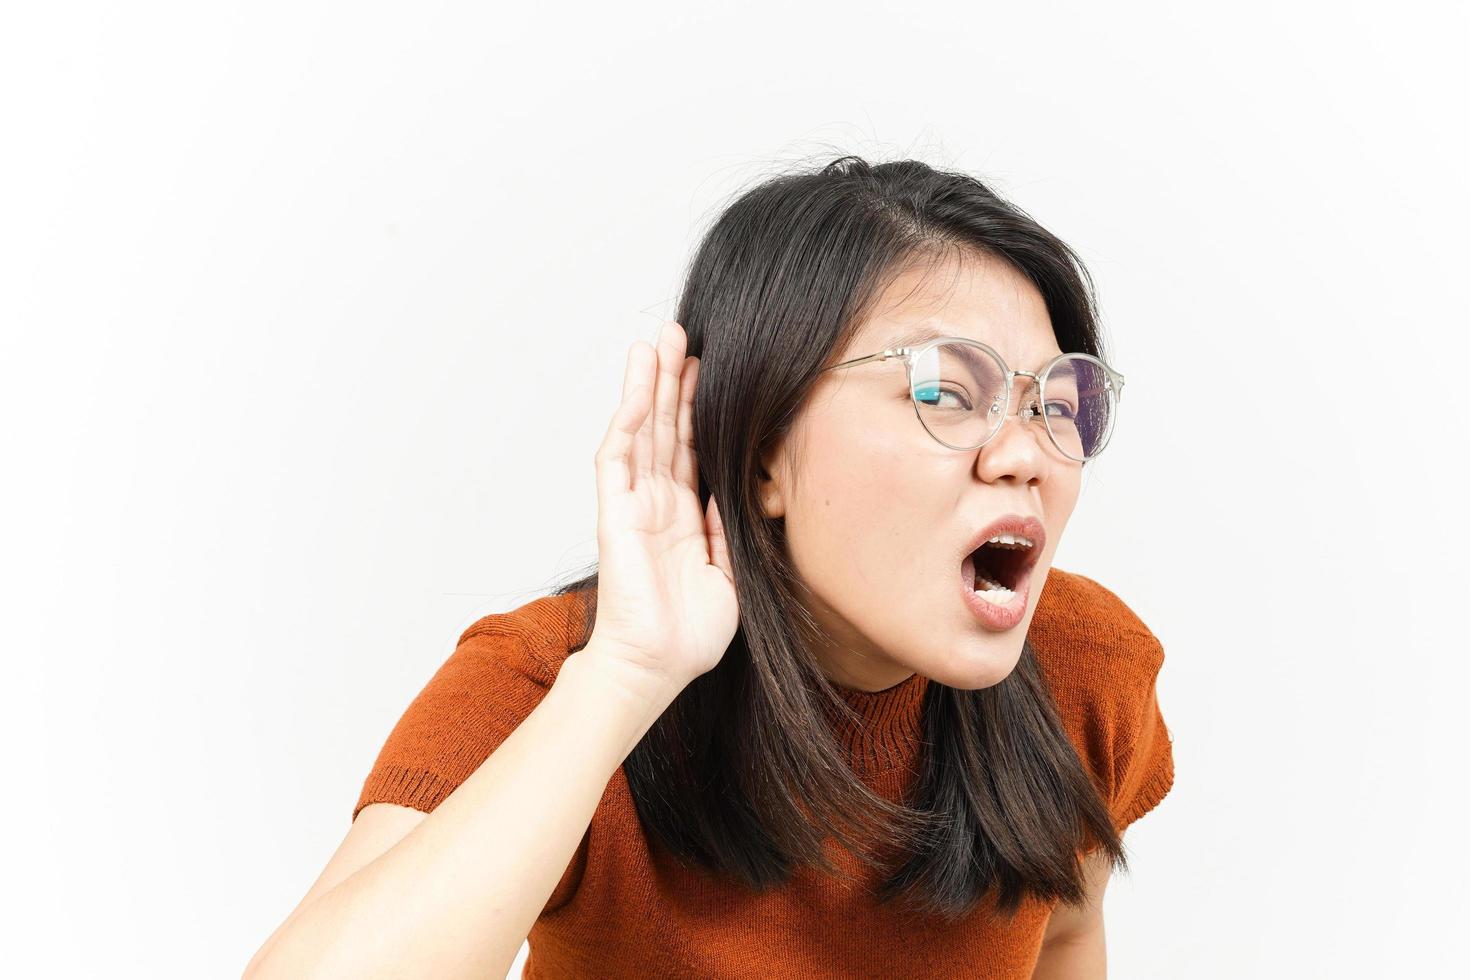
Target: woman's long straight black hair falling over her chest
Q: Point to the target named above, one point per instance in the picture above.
(743, 774)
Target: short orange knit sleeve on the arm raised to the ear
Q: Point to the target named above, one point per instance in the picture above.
(476, 700)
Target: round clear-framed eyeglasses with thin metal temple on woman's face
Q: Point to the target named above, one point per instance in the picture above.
(962, 393)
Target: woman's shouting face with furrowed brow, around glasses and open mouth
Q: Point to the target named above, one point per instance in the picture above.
(880, 516)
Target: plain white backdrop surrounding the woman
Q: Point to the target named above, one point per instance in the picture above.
(314, 317)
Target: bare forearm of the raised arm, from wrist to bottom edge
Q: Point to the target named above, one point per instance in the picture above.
(461, 893)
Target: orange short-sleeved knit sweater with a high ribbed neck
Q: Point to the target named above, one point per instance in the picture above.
(625, 909)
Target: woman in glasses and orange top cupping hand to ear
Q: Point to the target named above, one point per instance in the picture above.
(825, 709)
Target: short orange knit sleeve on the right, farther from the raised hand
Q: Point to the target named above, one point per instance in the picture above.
(1103, 666)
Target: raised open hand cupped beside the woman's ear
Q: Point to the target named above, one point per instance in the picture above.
(665, 586)
